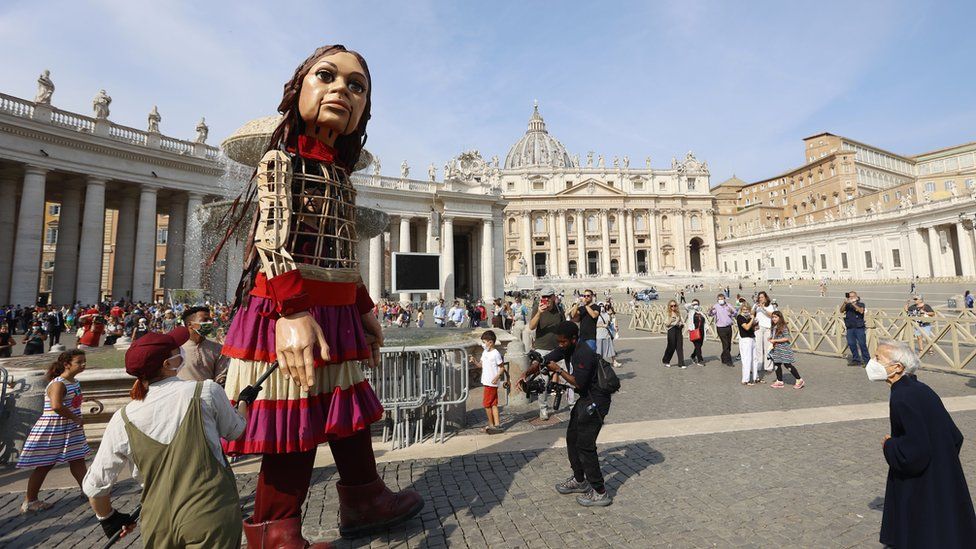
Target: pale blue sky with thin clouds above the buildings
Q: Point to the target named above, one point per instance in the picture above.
(740, 83)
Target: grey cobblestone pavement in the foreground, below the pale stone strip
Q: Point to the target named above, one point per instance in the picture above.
(815, 486)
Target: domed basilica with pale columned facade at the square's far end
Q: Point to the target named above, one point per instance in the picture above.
(565, 218)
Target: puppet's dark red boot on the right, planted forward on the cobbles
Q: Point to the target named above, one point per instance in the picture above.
(372, 507)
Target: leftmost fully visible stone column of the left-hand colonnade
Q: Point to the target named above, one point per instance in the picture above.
(27, 245)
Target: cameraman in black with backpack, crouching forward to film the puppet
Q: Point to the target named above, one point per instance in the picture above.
(586, 416)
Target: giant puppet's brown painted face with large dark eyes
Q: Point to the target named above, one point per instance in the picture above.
(333, 97)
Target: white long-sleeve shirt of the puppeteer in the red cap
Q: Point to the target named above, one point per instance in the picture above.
(159, 417)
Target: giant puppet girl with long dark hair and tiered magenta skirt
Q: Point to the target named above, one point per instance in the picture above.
(303, 304)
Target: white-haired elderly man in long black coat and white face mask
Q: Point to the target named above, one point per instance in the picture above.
(927, 501)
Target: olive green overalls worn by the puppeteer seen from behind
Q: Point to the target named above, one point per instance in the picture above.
(189, 499)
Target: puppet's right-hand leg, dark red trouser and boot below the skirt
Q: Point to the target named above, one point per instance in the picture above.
(365, 503)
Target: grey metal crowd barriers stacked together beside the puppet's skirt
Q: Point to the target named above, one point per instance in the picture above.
(415, 383)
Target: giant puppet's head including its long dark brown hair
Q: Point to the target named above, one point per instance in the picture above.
(327, 98)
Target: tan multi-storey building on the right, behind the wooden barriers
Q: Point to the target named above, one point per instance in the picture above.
(853, 210)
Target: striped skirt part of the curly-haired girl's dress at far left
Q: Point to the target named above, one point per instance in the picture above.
(52, 440)
